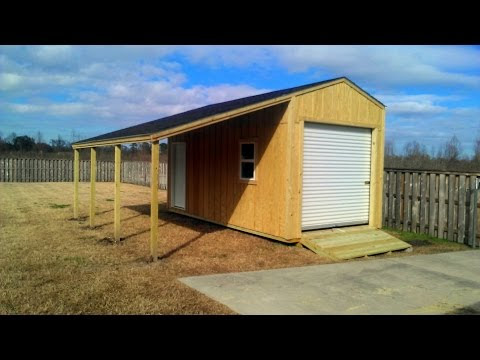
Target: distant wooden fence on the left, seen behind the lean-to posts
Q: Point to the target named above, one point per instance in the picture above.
(55, 170)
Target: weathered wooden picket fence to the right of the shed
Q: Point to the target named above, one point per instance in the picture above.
(440, 204)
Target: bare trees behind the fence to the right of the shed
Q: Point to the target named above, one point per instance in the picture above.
(448, 156)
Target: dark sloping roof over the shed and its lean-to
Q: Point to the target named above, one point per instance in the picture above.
(186, 117)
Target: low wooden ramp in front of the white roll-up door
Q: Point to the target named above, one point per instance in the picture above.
(349, 243)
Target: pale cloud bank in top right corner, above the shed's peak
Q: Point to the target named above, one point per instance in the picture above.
(387, 65)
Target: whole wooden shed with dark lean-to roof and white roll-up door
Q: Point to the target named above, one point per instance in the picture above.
(277, 164)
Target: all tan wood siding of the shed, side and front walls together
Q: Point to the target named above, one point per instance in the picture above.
(272, 206)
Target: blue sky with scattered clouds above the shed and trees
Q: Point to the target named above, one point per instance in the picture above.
(431, 92)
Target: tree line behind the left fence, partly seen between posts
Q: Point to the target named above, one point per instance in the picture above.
(24, 146)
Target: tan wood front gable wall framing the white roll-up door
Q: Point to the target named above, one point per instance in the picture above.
(339, 104)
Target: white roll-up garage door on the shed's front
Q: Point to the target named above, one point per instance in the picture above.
(336, 176)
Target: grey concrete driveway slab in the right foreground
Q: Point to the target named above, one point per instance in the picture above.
(447, 283)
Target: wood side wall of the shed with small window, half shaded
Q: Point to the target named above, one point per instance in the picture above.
(214, 190)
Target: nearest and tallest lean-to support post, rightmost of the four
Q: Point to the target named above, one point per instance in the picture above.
(154, 201)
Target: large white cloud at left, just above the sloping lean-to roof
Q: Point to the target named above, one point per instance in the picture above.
(133, 102)
